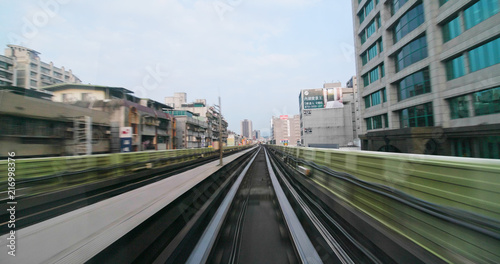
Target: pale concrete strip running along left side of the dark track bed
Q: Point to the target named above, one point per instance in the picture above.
(77, 236)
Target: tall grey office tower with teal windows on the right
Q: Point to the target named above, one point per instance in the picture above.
(428, 76)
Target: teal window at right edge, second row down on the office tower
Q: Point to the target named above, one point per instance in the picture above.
(485, 55)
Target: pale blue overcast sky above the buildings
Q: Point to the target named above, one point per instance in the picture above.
(256, 54)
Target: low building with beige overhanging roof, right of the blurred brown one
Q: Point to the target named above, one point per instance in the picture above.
(151, 128)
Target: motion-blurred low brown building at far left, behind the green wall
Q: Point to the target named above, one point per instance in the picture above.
(32, 125)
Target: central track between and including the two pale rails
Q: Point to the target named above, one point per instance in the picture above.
(255, 223)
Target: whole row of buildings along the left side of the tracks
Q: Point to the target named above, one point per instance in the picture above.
(46, 111)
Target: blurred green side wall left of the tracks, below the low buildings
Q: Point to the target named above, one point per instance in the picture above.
(41, 175)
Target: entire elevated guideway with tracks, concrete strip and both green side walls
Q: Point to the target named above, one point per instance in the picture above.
(283, 204)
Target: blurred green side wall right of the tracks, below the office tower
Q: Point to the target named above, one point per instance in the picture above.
(463, 186)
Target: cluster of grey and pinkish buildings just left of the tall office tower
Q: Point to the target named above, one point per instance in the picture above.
(327, 119)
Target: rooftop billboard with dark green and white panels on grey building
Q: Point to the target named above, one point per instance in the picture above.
(322, 98)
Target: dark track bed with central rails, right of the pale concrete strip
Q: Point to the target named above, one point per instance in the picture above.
(247, 214)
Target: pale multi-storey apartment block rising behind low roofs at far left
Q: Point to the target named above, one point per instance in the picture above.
(32, 73)
